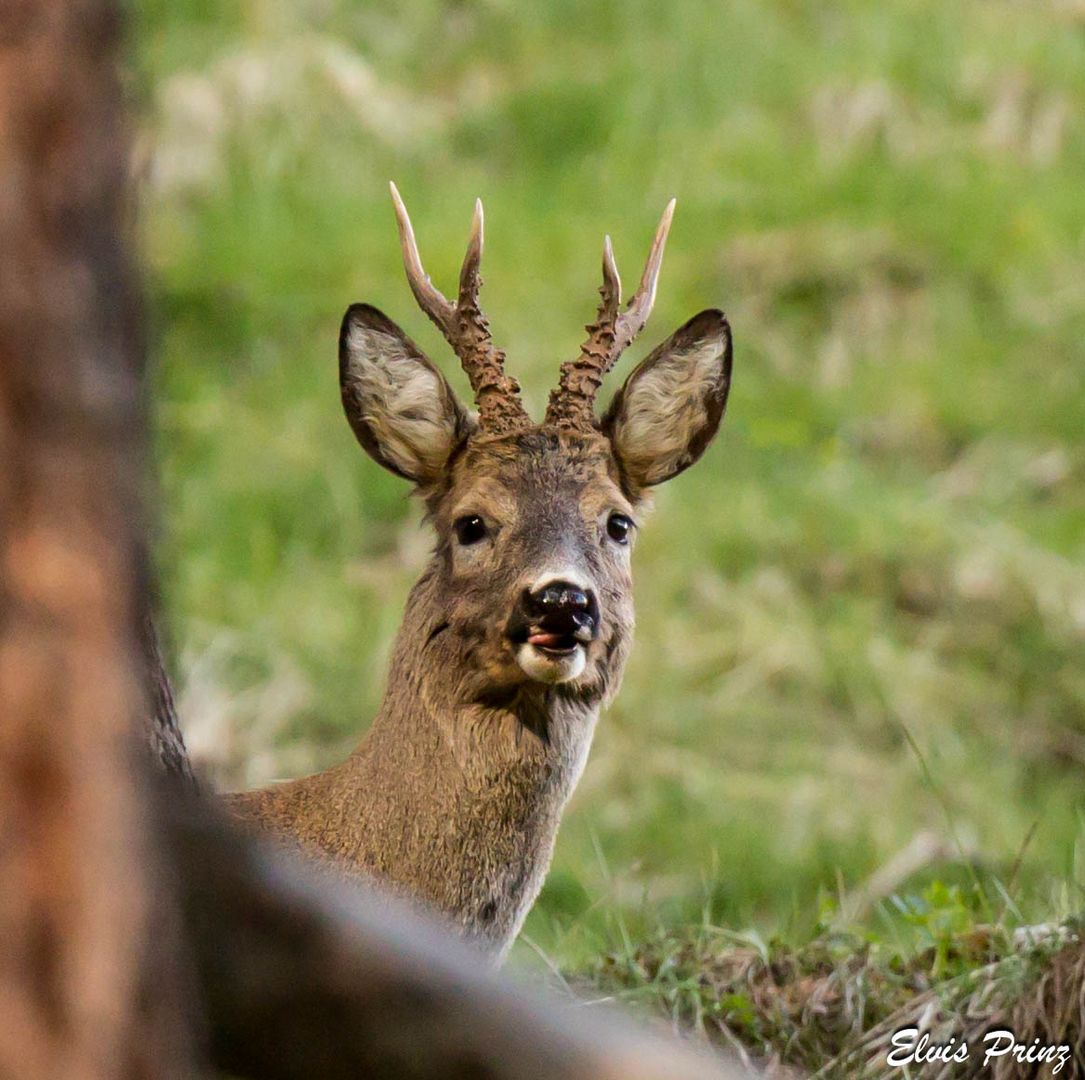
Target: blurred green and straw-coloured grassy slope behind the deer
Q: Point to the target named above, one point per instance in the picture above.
(862, 618)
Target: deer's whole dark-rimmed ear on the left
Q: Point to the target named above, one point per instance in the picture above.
(400, 405)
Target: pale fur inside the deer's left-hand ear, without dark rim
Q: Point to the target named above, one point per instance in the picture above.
(404, 402)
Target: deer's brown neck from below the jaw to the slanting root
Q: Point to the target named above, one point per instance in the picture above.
(456, 795)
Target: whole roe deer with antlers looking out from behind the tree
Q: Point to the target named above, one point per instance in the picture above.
(518, 630)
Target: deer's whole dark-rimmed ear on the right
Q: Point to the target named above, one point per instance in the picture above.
(669, 410)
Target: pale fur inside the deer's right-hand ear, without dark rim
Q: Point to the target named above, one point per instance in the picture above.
(666, 409)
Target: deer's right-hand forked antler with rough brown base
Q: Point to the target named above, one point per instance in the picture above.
(572, 403)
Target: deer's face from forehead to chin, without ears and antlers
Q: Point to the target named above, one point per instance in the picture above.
(534, 558)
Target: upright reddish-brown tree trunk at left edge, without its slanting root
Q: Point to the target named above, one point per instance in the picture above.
(78, 898)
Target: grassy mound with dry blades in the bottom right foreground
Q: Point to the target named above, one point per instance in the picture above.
(832, 1006)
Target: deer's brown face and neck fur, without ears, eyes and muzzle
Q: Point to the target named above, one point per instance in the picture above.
(456, 795)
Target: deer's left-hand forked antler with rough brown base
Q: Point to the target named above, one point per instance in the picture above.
(465, 326)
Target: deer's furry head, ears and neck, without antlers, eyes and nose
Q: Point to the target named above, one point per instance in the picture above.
(455, 796)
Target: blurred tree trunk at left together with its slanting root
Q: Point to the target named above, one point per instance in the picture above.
(141, 934)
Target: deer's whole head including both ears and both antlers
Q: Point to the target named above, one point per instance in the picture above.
(535, 523)
